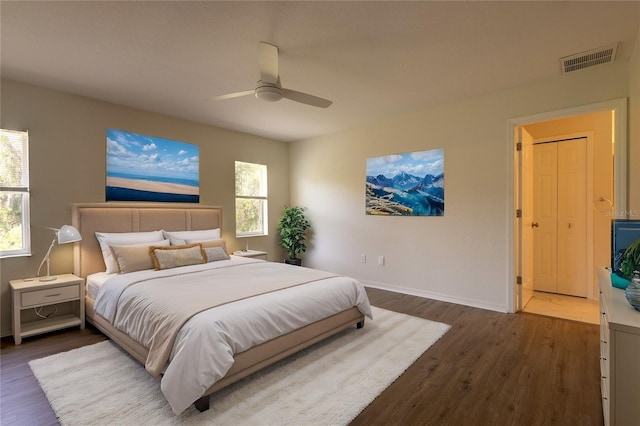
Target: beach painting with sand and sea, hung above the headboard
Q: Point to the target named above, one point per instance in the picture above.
(148, 168)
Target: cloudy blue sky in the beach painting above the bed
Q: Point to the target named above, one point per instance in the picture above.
(149, 156)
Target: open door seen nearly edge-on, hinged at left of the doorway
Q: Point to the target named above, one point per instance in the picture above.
(525, 231)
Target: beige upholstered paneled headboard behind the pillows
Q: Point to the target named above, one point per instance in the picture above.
(89, 218)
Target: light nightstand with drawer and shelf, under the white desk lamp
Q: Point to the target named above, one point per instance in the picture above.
(30, 293)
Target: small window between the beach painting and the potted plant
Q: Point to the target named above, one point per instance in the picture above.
(251, 199)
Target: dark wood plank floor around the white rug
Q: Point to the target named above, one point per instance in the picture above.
(489, 369)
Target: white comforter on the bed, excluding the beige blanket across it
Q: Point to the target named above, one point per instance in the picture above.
(204, 347)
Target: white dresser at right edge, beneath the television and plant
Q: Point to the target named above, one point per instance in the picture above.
(619, 355)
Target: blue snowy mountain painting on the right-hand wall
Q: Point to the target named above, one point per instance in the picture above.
(410, 184)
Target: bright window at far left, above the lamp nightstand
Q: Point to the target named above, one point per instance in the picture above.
(14, 194)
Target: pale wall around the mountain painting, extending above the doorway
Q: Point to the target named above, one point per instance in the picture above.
(462, 256)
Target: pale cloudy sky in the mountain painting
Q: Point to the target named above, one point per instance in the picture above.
(419, 163)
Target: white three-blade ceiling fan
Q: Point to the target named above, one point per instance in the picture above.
(269, 88)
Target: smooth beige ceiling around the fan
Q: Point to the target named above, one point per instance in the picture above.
(374, 60)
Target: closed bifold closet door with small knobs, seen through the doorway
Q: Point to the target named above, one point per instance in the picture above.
(560, 218)
